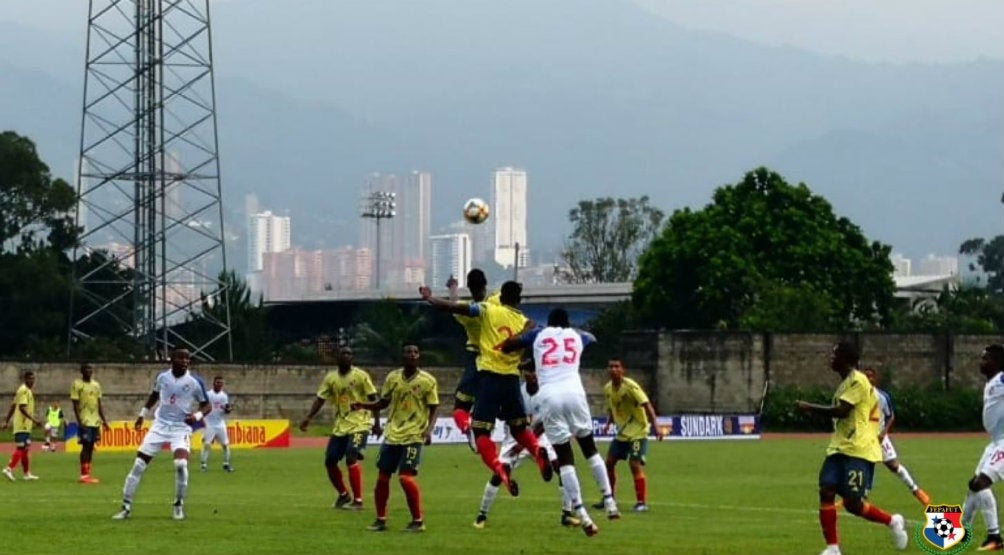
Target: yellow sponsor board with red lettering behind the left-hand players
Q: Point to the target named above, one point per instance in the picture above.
(244, 434)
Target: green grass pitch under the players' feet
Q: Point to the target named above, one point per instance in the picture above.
(706, 498)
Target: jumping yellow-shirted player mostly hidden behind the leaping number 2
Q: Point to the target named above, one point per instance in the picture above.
(467, 388)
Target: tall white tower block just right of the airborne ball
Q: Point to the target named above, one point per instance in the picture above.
(510, 207)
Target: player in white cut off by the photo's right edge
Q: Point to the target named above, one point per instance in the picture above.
(991, 466)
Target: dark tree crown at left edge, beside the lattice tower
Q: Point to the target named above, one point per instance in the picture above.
(36, 210)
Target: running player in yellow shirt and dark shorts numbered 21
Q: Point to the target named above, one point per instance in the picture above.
(853, 452)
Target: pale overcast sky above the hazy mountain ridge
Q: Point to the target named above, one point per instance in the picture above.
(875, 31)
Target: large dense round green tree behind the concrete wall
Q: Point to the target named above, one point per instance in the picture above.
(760, 242)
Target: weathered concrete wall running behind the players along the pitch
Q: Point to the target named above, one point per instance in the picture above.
(684, 372)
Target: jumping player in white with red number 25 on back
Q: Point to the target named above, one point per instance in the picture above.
(563, 407)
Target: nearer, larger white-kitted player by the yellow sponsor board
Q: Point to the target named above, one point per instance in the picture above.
(177, 391)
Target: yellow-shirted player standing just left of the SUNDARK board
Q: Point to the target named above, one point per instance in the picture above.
(630, 409)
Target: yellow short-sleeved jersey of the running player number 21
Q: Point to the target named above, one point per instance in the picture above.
(857, 435)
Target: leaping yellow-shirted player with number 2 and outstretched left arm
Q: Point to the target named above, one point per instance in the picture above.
(499, 396)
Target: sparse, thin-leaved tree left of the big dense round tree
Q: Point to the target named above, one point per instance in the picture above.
(608, 237)
